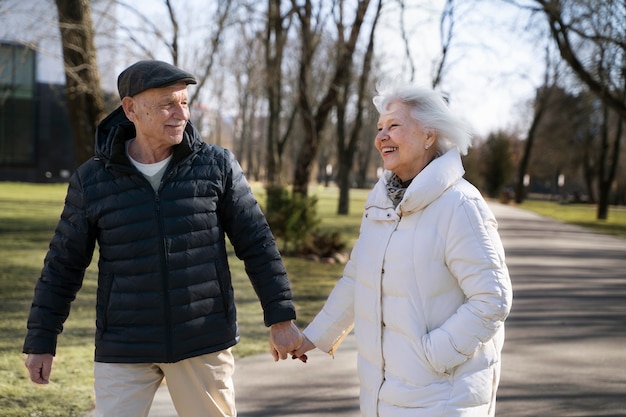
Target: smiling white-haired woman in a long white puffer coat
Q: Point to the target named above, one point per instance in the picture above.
(426, 287)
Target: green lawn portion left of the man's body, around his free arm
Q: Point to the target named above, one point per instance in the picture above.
(28, 214)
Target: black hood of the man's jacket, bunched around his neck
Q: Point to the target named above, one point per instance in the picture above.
(115, 129)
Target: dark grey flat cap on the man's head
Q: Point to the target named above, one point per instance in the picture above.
(144, 75)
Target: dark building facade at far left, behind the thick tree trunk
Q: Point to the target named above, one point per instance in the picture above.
(35, 136)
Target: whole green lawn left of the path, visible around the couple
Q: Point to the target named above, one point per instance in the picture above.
(28, 215)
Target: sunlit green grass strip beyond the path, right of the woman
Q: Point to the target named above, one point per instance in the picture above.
(582, 215)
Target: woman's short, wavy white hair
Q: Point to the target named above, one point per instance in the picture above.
(430, 109)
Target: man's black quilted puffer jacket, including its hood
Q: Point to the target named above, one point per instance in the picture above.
(164, 284)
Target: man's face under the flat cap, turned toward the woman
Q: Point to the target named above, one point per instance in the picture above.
(159, 114)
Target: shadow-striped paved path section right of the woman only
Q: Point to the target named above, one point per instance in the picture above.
(565, 349)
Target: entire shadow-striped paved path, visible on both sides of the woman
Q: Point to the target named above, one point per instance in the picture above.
(565, 352)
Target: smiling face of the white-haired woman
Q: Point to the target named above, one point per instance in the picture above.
(404, 144)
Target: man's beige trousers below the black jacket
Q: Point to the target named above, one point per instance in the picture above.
(199, 387)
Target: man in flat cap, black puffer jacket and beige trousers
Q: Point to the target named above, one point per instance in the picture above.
(159, 202)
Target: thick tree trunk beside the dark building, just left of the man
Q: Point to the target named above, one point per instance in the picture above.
(84, 94)
